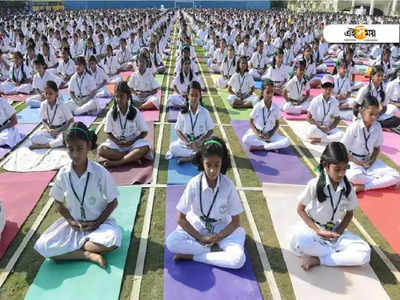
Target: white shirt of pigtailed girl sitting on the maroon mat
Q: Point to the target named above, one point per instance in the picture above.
(133, 127)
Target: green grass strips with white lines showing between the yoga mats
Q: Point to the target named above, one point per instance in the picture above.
(151, 286)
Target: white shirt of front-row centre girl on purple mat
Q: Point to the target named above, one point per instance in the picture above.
(227, 202)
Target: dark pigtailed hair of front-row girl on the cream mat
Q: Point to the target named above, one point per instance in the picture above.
(334, 153)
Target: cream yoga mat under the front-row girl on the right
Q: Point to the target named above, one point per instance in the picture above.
(321, 282)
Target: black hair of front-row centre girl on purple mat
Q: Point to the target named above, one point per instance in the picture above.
(218, 147)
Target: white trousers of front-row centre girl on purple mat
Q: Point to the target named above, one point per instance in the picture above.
(232, 255)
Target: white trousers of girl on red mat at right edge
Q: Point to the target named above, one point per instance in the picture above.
(378, 176)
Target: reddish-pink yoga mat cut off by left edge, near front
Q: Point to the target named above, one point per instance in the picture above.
(19, 193)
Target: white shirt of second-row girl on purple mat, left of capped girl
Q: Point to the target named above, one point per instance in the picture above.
(264, 119)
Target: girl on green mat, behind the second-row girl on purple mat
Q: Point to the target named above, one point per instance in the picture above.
(241, 86)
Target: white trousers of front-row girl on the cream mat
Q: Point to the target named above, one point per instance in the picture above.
(347, 250)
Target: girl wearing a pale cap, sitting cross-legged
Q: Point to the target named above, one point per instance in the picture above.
(323, 115)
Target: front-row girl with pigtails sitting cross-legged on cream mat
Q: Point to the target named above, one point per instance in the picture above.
(326, 207)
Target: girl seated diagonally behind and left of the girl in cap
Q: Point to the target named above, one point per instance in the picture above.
(296, 102)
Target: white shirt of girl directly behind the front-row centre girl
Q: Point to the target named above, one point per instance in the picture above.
(197, 124)
